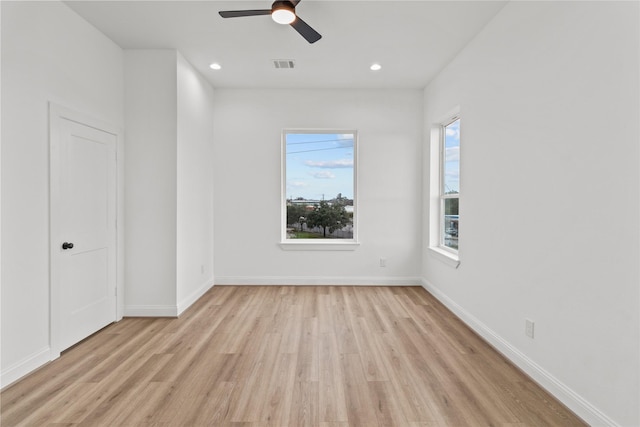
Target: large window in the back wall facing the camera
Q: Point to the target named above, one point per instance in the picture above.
(319, 187)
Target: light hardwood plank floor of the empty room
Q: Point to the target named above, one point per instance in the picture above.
(286, 356)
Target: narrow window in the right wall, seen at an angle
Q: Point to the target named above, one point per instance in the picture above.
(449, 215)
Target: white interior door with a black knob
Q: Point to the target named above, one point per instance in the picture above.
(83, 203)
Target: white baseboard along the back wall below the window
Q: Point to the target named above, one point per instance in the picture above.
(318, 281)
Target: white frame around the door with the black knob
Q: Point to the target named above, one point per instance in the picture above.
(57, 113)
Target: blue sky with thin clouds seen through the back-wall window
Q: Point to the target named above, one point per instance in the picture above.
(319, 164)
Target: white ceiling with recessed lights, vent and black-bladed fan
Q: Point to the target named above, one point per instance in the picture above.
(413, 40)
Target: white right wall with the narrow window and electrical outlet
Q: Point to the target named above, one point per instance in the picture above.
(549, 207)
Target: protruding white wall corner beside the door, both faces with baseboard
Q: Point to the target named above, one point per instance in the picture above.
(169, 192)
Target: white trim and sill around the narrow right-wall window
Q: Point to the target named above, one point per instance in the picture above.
(437, 248)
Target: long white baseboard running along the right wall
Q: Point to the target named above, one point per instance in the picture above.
(589, 413)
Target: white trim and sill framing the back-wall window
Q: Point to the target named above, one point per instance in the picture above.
(317, 244)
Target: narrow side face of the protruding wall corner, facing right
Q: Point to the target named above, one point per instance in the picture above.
(194, 184)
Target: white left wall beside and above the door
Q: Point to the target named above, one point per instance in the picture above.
(48, 54)
